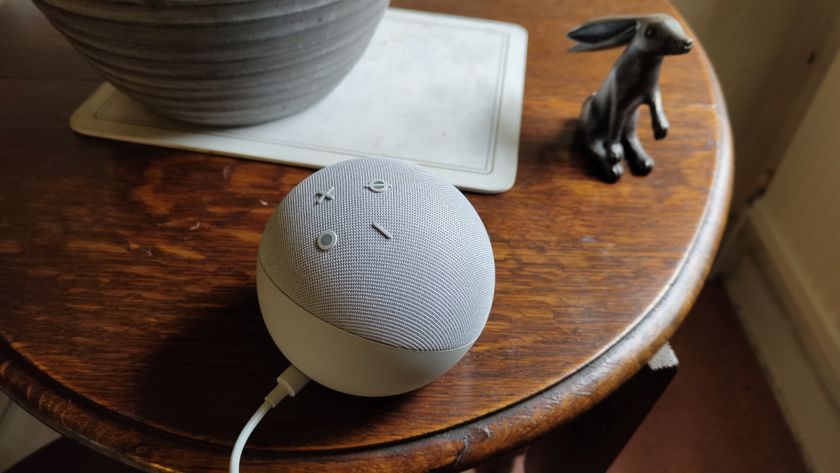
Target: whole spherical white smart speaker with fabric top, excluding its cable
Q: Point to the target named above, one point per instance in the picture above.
(375, 277)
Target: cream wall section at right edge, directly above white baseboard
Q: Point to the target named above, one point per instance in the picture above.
(798, 222)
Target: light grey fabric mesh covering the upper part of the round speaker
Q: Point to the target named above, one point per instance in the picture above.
(430, 287)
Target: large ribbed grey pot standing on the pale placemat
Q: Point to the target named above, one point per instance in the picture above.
(220, 62)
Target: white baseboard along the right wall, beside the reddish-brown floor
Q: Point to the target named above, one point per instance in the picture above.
(785, 346)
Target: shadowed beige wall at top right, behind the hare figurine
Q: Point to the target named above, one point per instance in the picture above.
(770, 57)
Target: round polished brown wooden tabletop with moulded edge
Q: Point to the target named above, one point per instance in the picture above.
(132, 328)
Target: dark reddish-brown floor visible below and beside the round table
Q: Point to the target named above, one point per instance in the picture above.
(717, 415)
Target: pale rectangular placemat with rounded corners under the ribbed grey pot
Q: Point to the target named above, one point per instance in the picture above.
(443, 91)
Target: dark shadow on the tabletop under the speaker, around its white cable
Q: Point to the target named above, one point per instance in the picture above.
(207, 380)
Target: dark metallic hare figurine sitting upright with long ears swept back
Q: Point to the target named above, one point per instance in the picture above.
(608, 120)
